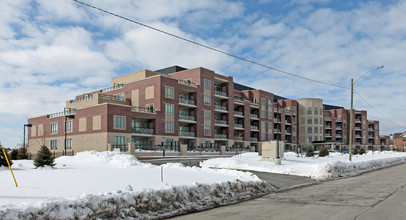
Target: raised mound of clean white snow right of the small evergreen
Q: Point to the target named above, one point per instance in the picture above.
(96, 158)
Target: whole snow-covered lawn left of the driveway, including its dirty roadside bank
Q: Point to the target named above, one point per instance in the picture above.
(110, 184)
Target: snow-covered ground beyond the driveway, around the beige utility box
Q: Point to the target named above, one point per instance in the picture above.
(320, 168)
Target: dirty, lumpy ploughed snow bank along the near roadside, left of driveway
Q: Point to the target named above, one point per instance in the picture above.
(153, 204)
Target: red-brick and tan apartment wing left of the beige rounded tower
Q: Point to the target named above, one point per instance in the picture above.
(168, 107)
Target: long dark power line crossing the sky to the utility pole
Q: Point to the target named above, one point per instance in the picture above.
(210, 48)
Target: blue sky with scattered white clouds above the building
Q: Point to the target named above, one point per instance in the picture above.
(51, 51)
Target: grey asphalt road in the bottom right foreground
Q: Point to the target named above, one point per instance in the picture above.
(378, 194)
